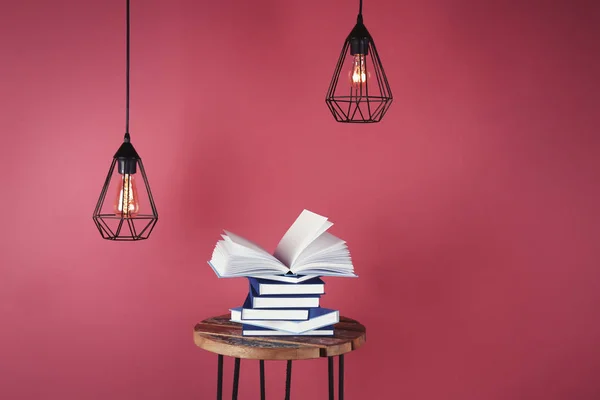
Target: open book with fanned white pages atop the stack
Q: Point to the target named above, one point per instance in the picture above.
(306, 249)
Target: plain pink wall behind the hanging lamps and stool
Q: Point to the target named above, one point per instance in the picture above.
(471, 210)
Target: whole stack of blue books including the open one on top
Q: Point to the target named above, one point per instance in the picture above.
(286, 287)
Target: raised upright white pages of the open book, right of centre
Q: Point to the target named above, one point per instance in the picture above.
(307, 227)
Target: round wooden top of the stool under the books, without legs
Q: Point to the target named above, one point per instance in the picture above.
(220, 335)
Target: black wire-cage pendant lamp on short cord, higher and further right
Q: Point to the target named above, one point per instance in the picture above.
(359, 91)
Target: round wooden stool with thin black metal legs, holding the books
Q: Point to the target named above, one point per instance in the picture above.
(221, 336)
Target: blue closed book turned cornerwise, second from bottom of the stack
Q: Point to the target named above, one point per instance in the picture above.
(317, 318)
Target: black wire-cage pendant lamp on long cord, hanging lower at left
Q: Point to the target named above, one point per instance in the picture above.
(125, 210)
